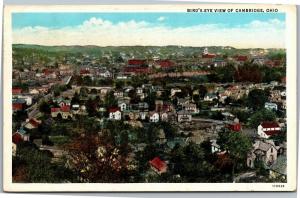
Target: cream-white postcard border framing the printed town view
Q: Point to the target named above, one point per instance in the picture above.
(291, 105)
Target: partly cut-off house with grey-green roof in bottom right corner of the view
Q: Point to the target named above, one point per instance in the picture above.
(278, 168)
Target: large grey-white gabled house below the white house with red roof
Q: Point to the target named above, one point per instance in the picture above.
(264, 151)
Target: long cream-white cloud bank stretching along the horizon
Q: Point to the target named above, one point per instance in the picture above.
(97, 31)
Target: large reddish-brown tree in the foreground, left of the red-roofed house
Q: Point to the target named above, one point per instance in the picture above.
(96, 160)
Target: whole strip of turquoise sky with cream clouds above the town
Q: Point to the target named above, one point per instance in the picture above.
(241, 30)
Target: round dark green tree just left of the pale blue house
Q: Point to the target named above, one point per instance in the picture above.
(257, 99)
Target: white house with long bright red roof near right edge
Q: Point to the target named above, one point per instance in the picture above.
(267, 129)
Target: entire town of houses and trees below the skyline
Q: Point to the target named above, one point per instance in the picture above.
(148, 114)
